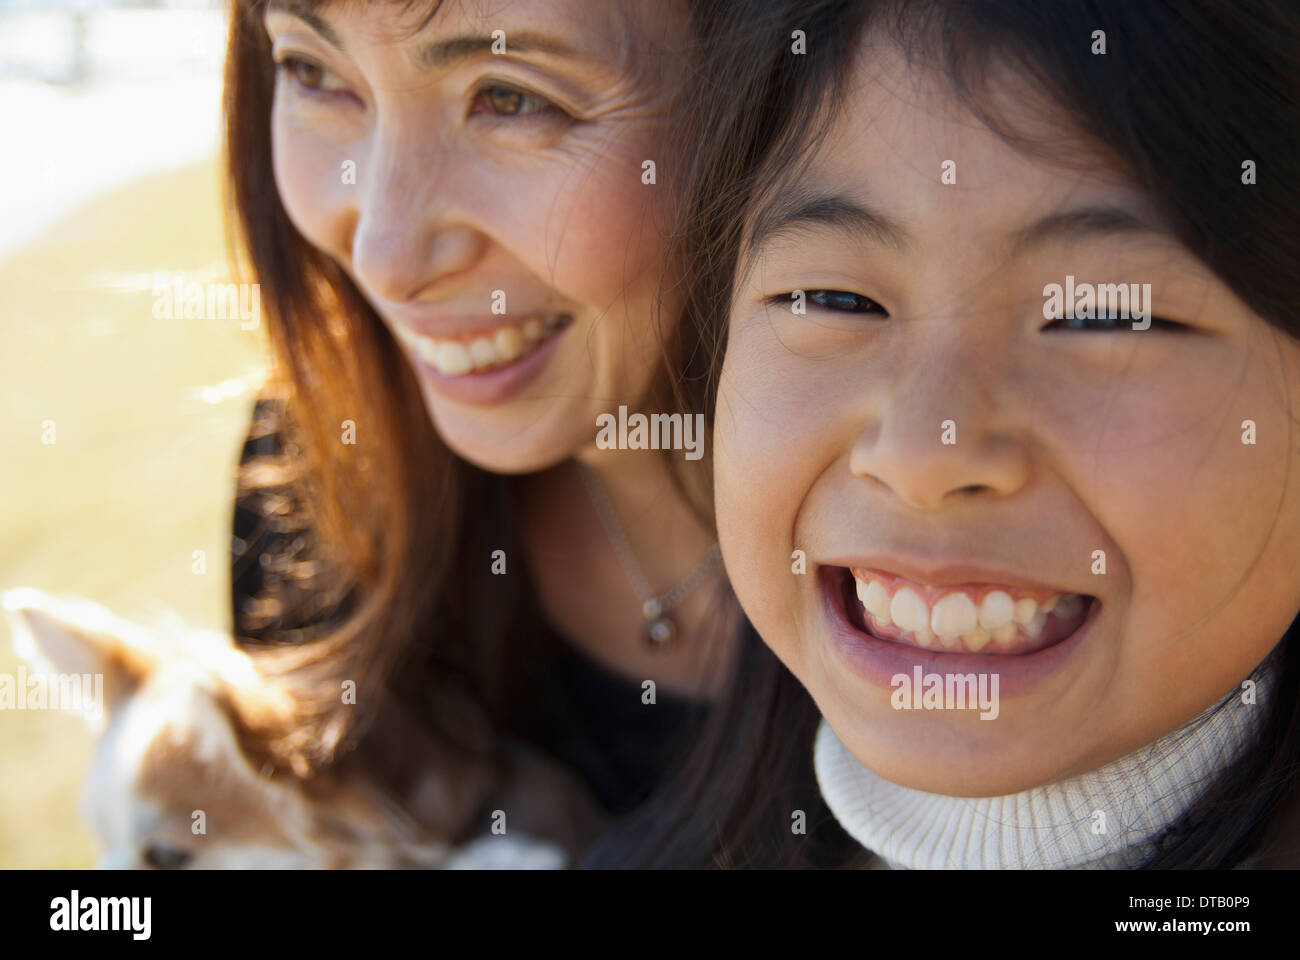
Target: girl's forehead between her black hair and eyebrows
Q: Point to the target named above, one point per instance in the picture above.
(907, 148)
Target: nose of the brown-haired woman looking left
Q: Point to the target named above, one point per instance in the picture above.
(413, 230)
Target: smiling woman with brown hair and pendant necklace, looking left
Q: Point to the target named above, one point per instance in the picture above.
(463, 270)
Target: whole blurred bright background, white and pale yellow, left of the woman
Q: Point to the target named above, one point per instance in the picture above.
(110, 178)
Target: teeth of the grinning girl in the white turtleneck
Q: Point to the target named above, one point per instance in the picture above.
(969, 619)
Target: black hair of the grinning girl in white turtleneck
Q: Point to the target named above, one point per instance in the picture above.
(1186, 93)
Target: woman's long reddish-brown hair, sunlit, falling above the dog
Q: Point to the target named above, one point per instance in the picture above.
(382, 580)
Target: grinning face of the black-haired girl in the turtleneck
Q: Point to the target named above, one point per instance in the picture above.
(934, 444)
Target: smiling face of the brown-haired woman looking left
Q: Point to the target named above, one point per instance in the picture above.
(492, 206)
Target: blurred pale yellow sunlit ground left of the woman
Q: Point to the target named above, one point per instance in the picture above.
(149, 418)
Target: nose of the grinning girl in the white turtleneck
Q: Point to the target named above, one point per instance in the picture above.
(939, 434)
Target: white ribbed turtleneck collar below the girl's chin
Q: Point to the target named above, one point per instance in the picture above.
(1043, 828)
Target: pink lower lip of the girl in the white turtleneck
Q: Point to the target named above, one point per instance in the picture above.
(879, 660)
